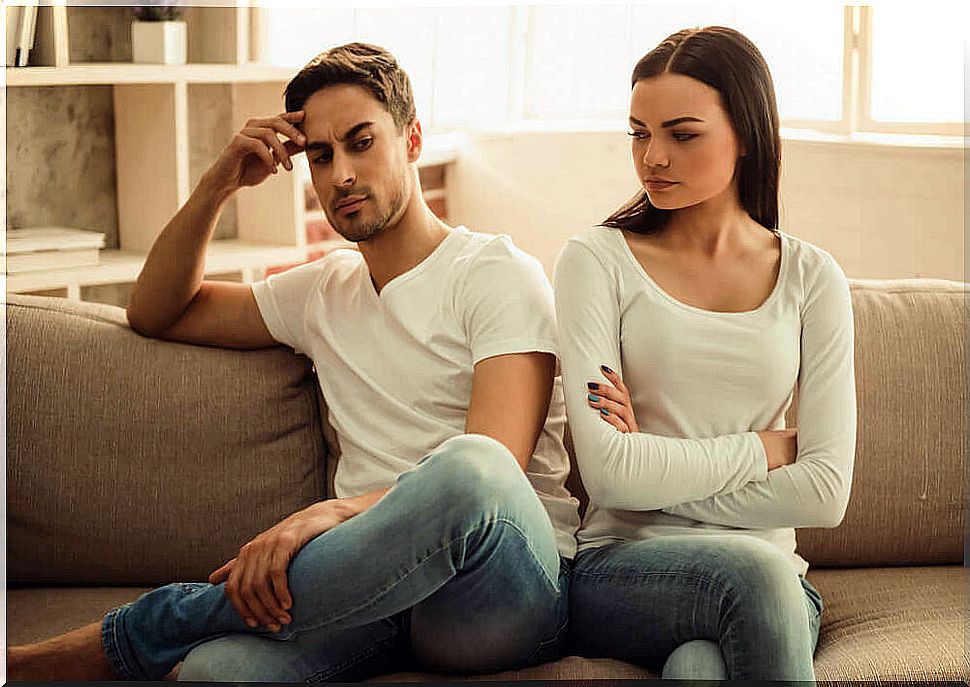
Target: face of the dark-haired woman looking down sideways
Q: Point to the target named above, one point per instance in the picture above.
(684, 147)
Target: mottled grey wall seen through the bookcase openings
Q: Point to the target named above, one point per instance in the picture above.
(60, 140)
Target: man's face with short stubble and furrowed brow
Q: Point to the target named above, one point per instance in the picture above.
(358, 160)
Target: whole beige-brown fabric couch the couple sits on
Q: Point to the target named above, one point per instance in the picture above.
(133, 462)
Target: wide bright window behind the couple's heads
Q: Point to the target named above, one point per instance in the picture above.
(475, 65)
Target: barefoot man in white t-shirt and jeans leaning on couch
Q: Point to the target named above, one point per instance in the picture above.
(449, 542)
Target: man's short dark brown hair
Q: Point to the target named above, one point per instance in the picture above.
(361, 64)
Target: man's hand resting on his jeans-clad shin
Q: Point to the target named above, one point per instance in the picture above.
(256, 578)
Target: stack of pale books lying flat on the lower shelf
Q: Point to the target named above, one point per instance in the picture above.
(49, 248)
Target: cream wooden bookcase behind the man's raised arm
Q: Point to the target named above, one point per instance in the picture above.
(165, 136)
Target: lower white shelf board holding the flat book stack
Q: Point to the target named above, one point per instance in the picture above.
(119, 266)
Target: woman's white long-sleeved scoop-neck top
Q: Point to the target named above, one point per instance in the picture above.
(702, 383)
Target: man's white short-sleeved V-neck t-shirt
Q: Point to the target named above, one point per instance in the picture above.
(396, 368)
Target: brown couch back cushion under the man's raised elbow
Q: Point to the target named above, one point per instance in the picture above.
(138, 461)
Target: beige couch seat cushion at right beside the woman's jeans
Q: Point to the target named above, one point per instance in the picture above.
(893, 624)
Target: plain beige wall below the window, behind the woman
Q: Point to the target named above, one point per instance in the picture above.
(883, 212)
